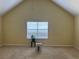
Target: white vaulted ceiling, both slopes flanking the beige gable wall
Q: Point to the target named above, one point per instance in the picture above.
(72, 6)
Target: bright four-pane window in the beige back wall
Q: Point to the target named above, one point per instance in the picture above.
(38, 29)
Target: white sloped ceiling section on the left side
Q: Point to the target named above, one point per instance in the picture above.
(6, 5)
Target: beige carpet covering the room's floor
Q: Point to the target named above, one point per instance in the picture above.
(46, 53)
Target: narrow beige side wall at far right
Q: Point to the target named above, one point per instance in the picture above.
(76, 31)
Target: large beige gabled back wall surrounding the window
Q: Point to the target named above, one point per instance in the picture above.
(60, 22)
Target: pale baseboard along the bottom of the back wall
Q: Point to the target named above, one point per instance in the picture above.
(43, 45)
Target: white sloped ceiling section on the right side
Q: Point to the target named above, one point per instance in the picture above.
(72, 6)
